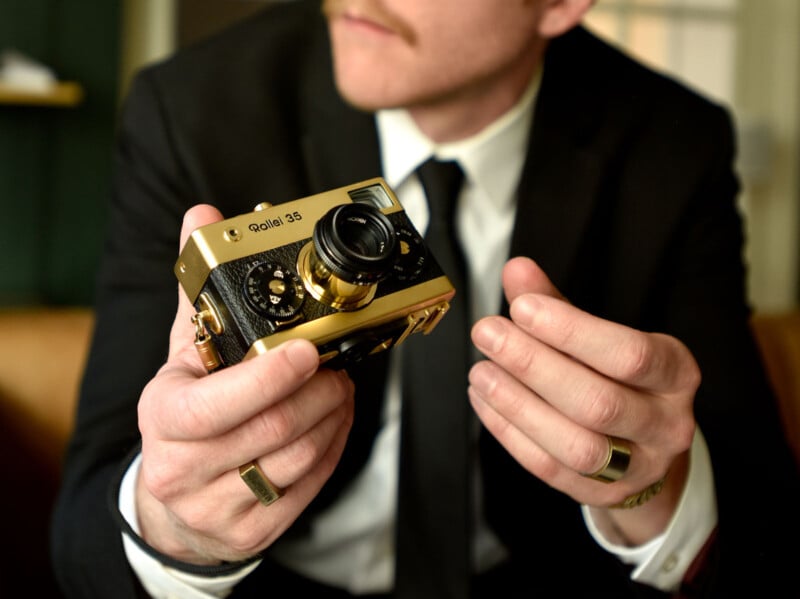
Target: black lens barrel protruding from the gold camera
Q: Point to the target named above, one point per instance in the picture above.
(356, 242)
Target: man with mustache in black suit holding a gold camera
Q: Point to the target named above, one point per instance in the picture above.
(605, 466)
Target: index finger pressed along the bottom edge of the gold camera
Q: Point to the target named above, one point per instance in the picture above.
(211, 405)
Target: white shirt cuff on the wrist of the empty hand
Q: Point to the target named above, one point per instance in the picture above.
(663, 562)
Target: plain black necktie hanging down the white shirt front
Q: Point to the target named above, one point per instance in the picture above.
(433, 540)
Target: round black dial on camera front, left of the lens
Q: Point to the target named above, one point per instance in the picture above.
(274, 291)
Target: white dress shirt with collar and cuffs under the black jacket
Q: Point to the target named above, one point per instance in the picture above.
(351, 543)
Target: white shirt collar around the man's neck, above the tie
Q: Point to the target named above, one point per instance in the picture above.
(492, 159)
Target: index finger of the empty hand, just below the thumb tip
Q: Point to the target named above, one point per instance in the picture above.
(657, 363)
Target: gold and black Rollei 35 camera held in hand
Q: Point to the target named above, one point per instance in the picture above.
(344, 269)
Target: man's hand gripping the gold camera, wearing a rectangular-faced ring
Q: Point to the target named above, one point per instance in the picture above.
(278, 408)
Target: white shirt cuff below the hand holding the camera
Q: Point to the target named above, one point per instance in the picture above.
(158, 579)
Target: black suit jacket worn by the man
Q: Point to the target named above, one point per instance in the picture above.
(627, 201)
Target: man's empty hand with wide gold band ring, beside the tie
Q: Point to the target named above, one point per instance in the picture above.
(558, 382)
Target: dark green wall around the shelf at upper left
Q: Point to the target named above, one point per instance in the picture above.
(55, 163)
